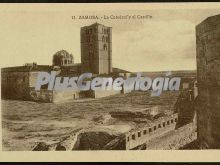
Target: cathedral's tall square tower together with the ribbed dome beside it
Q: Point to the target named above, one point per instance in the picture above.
(96, 52)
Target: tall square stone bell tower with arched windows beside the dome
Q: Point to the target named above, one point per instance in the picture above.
(96, 49)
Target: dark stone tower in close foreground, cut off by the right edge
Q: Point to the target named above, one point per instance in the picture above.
(208, 82)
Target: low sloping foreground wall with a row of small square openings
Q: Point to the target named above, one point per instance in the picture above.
(144, 135)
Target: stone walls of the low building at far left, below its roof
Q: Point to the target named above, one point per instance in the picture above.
(20, 85)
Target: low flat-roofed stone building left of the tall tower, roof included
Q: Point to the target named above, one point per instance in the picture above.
(19, 83)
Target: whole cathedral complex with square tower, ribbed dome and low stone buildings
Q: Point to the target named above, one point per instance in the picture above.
(96, 57)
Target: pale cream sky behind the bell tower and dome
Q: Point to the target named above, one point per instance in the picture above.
(167, 41)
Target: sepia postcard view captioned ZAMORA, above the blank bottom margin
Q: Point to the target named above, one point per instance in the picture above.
(80, 78)
